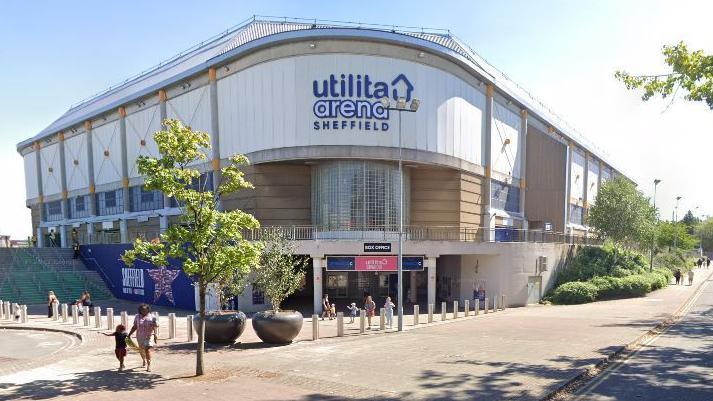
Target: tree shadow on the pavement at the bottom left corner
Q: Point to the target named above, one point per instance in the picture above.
(103, 380)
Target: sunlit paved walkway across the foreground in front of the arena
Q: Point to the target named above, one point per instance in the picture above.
(519, 353)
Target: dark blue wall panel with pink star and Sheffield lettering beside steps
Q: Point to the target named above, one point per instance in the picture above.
(142, 282)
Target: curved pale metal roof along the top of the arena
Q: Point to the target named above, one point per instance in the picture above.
(262, 31)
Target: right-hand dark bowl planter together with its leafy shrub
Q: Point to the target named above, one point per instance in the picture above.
(279, 274)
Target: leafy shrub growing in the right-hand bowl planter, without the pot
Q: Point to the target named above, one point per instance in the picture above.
(280, 272)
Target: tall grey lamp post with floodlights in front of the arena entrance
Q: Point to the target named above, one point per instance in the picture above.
(399, 107)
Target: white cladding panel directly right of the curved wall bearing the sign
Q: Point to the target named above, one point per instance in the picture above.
(505, 142)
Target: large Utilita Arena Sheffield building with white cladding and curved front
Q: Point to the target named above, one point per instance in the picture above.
(496, 186)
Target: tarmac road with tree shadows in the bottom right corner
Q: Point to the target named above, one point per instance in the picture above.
(677, 365)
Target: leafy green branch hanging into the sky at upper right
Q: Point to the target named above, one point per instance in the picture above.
(691, 71)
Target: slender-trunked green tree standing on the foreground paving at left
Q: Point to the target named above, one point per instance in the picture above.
(208, 241)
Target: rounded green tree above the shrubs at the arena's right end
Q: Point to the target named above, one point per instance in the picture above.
(623, 214)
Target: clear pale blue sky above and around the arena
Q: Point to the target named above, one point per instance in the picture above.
(53, 54)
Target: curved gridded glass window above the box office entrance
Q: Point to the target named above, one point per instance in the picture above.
(357, 195)
